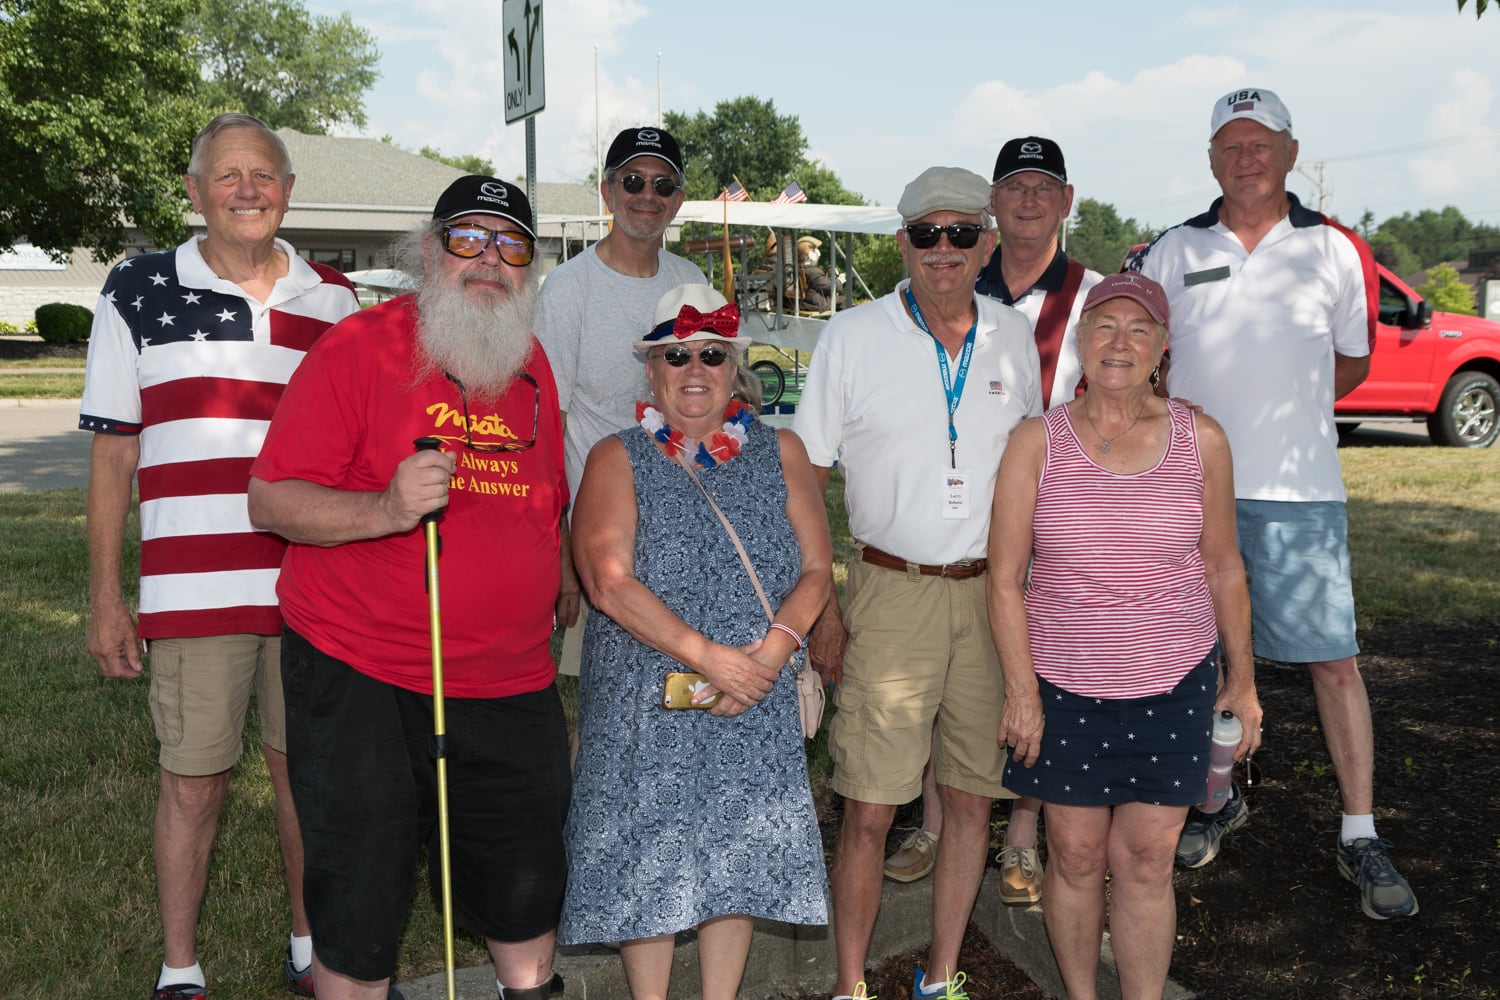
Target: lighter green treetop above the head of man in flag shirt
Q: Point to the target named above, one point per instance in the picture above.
(289, 68)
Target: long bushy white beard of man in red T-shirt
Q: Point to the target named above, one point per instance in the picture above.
(482, 343)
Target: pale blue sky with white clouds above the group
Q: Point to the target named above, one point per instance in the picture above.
(1394, 103)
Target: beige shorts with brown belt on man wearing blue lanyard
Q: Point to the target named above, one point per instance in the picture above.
(920, 650)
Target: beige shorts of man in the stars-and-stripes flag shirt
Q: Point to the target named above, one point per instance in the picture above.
(202, 692)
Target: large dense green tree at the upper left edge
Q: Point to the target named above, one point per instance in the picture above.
(98, 106)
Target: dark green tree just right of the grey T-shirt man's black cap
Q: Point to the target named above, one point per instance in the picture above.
(743, 139)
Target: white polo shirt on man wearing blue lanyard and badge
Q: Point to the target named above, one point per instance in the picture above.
(875, 404)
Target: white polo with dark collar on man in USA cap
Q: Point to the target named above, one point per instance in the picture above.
(1253, 338)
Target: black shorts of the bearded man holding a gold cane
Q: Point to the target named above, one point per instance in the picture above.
(365, 785)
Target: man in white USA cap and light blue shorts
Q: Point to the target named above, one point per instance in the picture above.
(1273, 319)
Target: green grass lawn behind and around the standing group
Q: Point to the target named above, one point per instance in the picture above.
(79, 770)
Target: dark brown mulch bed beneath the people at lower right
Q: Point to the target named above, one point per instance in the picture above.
(1273, 917)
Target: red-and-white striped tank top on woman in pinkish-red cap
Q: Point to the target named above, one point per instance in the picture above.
(1117, 603)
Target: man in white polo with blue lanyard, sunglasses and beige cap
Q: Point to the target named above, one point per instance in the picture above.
(916, 397)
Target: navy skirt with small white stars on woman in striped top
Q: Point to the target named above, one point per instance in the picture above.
(1105, 752)
